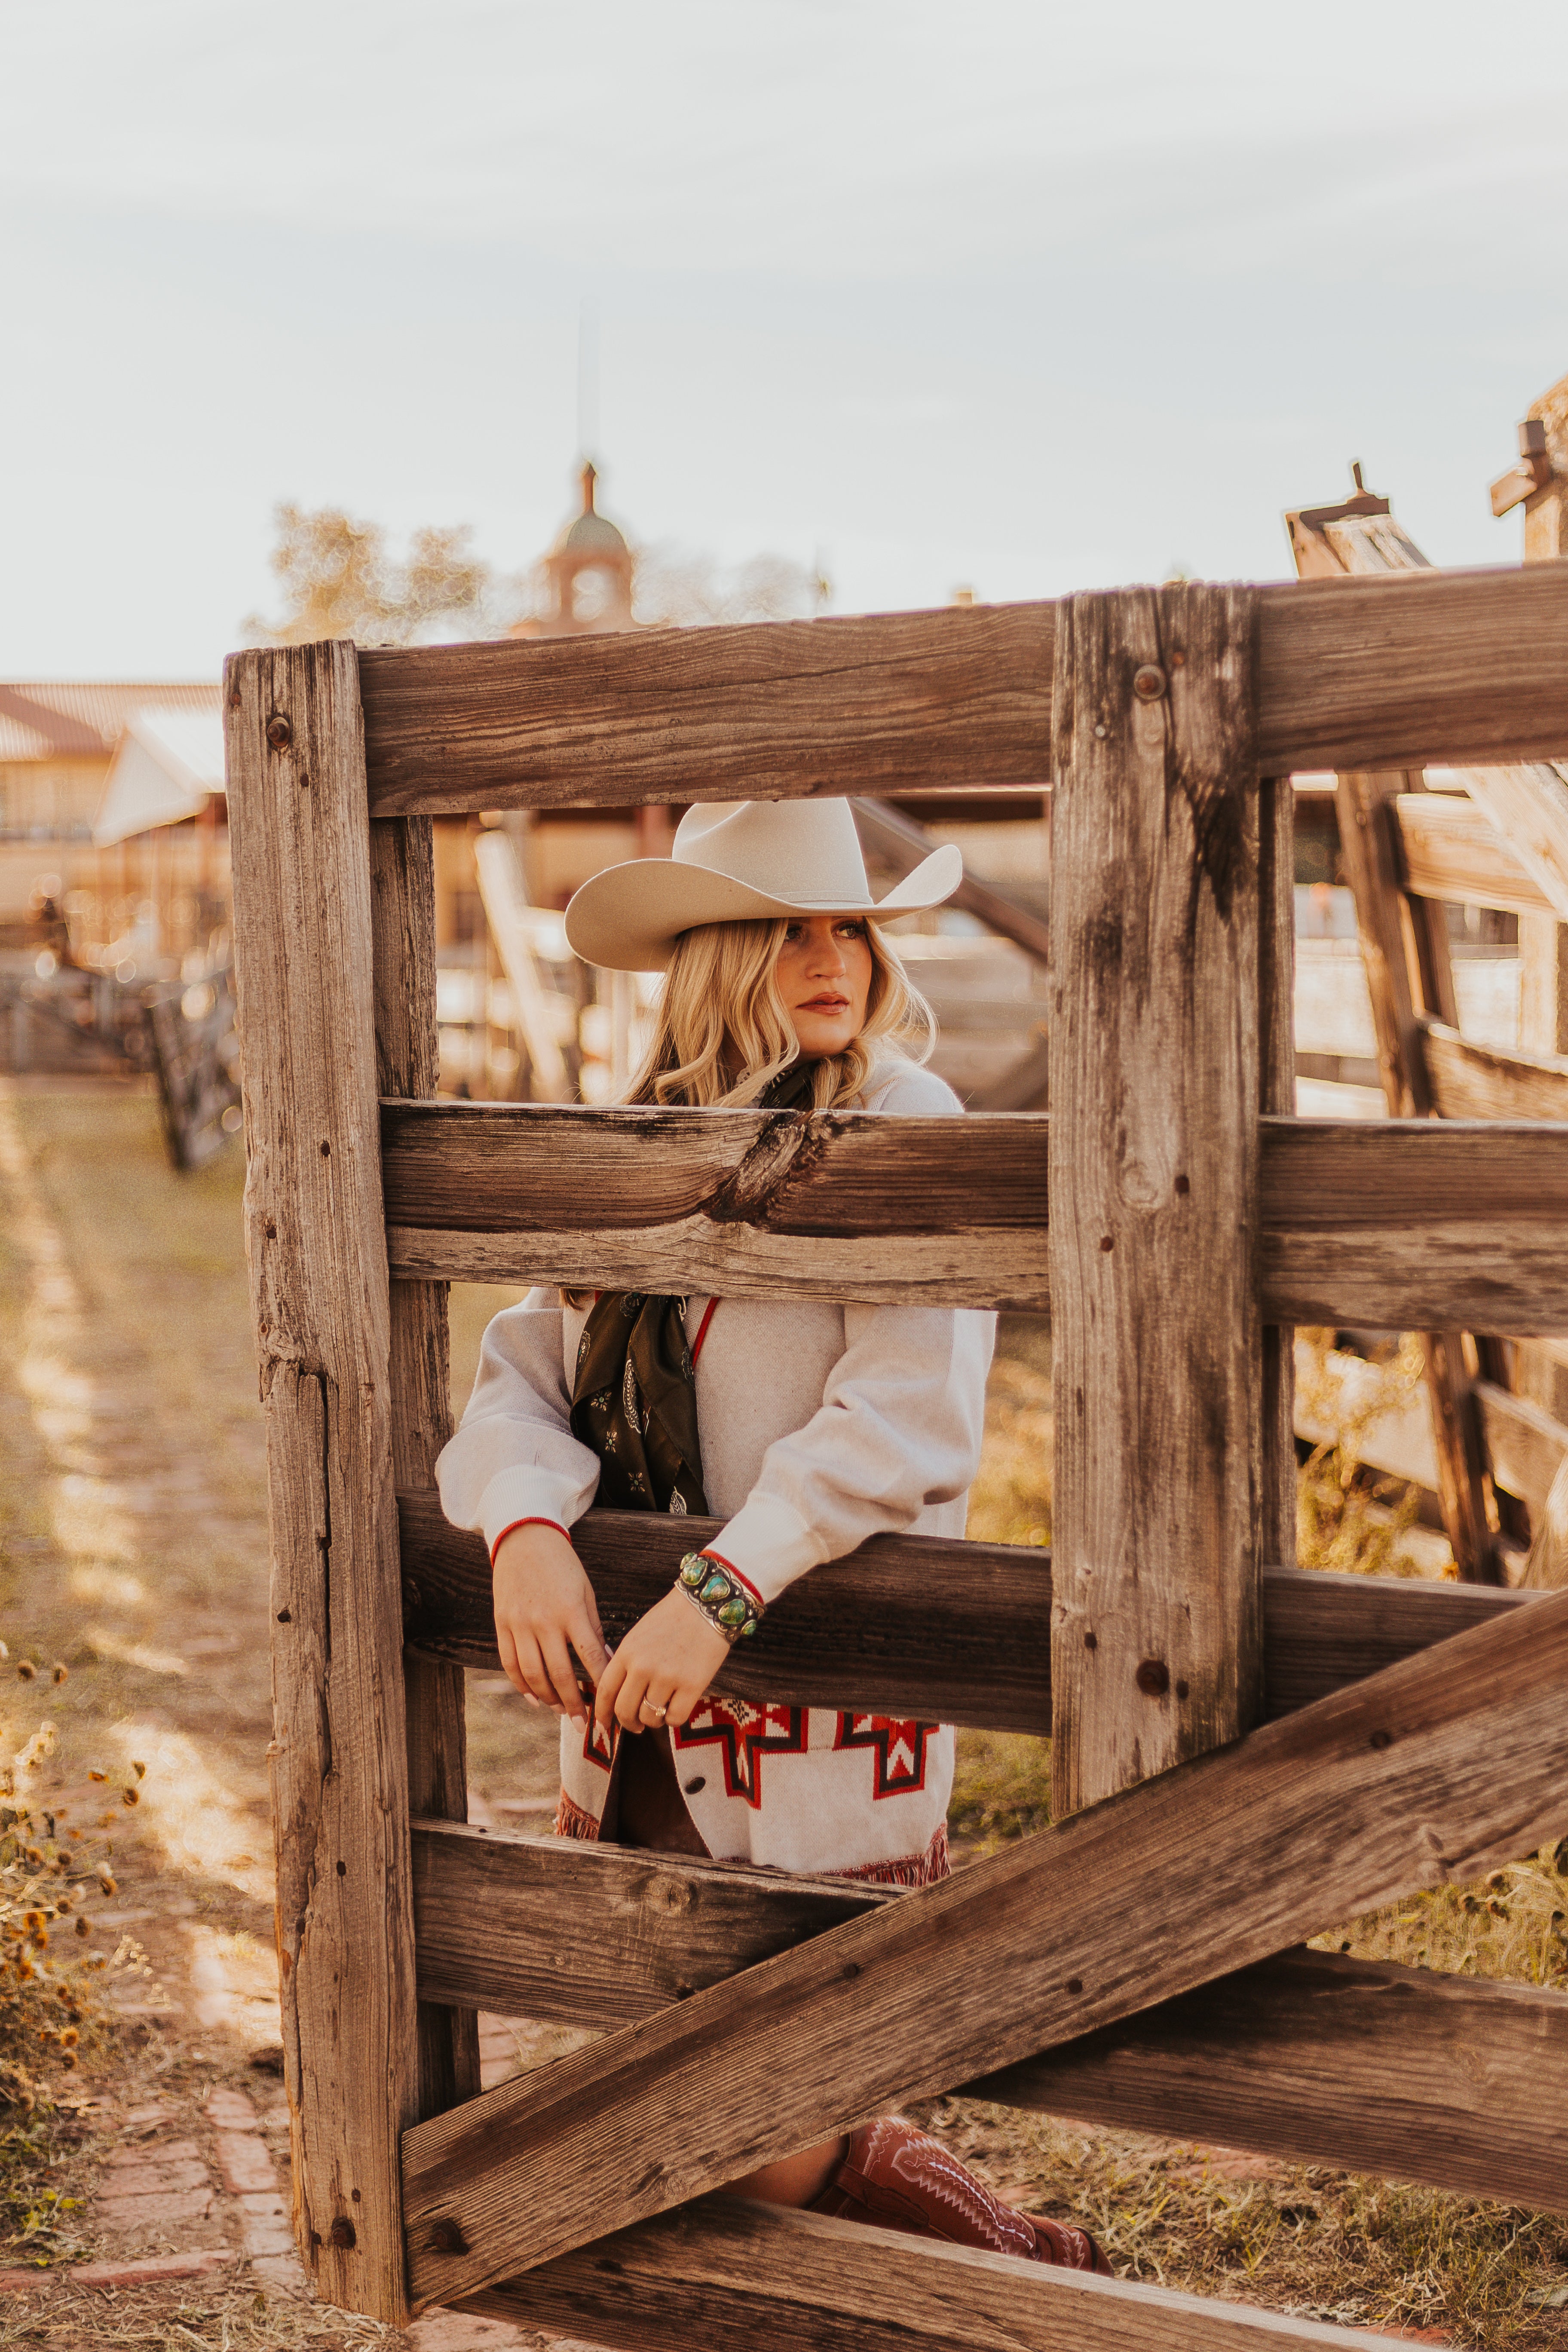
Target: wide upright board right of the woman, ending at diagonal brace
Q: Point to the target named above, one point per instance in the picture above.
(1155, 1093)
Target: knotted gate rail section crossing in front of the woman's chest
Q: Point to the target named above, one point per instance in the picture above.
(718, 1203)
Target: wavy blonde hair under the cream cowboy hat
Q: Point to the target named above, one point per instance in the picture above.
(723, 1031)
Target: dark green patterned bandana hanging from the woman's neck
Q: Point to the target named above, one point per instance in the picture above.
(634, 1398)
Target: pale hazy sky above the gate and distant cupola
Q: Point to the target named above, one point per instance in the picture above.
(1007, 293)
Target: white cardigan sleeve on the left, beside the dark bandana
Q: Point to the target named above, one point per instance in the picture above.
(514, 1455)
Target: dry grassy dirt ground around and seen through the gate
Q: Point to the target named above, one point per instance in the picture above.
(133, 1549)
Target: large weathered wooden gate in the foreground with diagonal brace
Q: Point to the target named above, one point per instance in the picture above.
(1289, 1749)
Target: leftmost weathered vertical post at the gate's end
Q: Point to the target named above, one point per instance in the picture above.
(316, 1243)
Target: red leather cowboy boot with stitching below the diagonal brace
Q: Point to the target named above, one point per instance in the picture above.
(904, 2179)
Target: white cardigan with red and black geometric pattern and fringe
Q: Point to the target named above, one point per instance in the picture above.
(822, 1426)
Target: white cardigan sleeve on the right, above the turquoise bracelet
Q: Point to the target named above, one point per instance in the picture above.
(899, 1426)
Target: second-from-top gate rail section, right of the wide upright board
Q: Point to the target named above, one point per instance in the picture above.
(1416, 1224)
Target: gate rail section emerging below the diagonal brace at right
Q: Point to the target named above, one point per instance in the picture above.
(1341, 2062)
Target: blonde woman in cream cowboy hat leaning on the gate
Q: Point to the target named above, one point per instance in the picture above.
(808, 1426)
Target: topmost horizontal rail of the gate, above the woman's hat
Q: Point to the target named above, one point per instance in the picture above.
(1398, 671)
